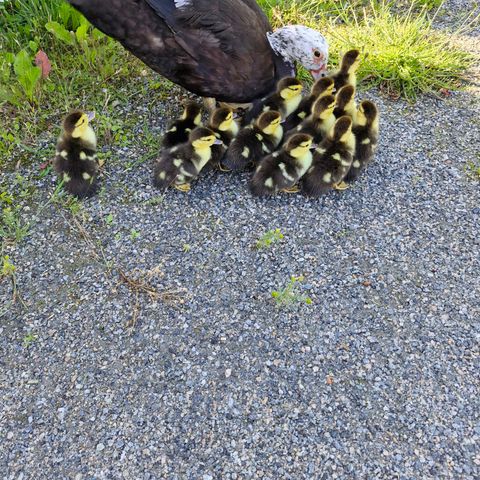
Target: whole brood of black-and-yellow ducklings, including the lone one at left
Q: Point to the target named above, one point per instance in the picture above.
(314, 143)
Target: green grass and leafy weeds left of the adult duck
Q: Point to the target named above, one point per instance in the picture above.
(89, 70)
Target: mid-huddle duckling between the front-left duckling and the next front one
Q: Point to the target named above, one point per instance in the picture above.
(254, 141)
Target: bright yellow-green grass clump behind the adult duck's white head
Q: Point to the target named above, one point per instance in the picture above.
(407, 56)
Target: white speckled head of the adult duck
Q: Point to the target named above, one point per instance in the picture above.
(297, 43)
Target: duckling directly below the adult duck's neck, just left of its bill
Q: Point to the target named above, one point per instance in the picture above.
(285, 100)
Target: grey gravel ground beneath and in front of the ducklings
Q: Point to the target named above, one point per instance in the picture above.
(376, 379)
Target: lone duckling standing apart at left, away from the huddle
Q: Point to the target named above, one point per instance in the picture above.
(75, 158)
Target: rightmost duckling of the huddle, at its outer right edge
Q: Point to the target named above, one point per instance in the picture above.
(365, 129)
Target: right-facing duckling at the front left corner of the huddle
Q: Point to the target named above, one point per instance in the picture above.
(181, 164)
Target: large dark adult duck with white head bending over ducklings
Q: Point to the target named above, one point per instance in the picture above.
(223, 49)
